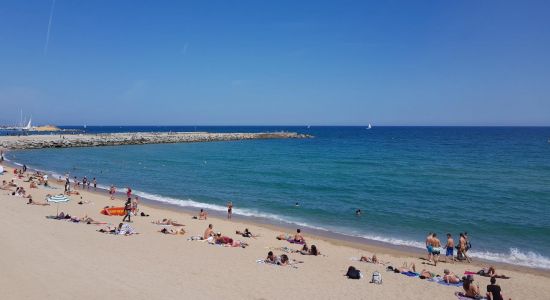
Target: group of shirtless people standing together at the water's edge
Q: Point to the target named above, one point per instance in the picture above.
(434, 247)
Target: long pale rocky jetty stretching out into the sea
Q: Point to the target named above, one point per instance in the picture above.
(133, 138)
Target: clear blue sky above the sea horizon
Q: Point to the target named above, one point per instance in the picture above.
(276, 62)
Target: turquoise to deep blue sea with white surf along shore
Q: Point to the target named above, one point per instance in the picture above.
(493, 183)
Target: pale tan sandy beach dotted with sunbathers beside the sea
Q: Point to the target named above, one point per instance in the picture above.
(58, 259)
